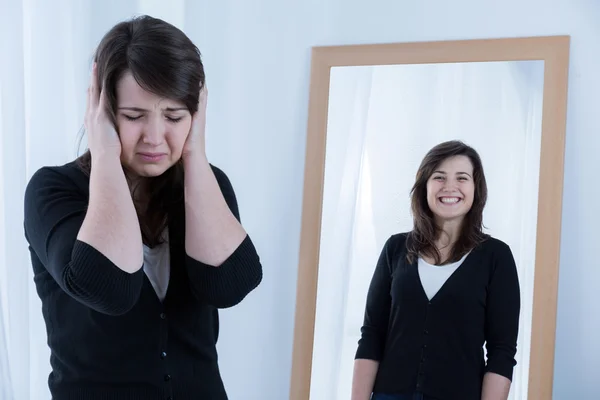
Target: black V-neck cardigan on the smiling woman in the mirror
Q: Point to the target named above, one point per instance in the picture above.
(436, 347)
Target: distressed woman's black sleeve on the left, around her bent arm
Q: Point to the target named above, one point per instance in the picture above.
(54, 212)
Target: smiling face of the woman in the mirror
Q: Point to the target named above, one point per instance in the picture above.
(451, 189)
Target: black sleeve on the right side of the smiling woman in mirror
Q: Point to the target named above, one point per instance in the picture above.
(502, 314)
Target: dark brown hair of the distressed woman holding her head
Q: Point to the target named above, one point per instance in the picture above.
(163, 61)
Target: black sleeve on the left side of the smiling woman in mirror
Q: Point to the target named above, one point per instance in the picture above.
(377, 311)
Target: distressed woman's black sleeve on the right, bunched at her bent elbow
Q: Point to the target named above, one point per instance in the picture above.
(227, 285)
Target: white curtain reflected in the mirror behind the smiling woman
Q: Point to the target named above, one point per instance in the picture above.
(382, 121)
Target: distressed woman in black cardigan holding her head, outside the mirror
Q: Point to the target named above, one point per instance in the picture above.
(137, 244)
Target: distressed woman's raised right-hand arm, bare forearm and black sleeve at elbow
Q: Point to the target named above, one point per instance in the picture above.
(222, 262)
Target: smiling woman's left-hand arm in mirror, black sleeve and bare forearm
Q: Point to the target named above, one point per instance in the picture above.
(374, 331)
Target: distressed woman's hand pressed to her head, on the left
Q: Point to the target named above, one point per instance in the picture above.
(102, 136)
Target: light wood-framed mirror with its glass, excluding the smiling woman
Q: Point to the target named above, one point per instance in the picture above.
(370, 125)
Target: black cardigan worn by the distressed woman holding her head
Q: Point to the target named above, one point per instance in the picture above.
(109, 334)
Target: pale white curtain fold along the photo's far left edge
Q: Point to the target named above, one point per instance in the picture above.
(14, 276)
